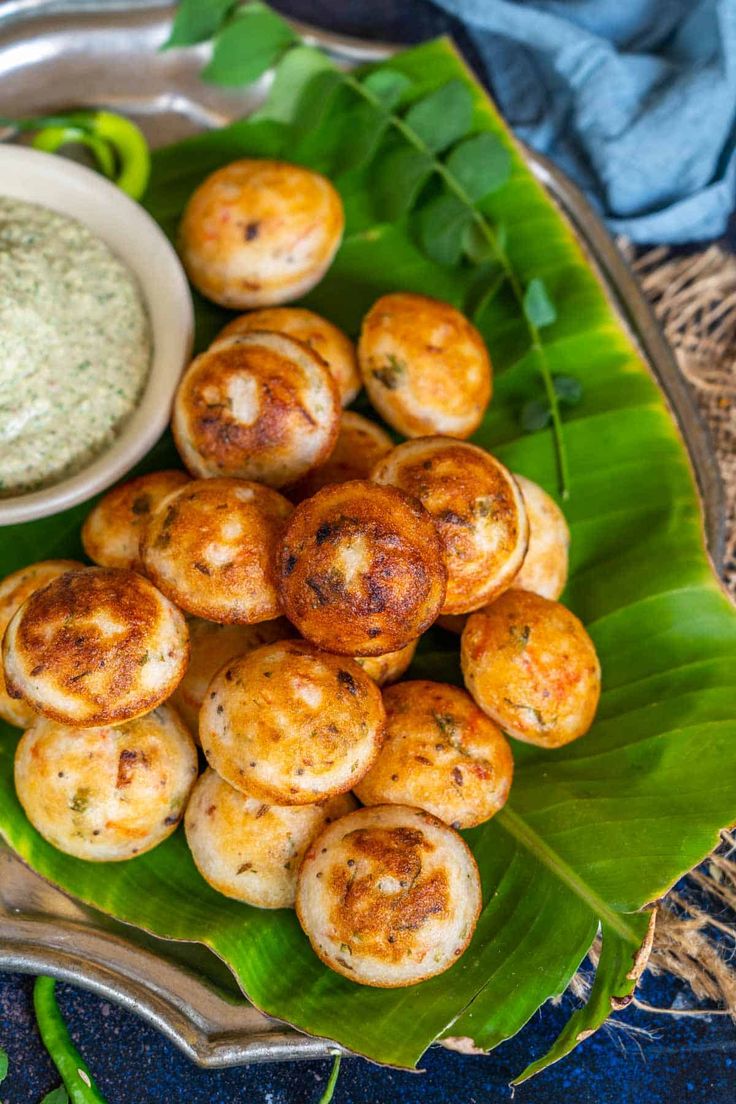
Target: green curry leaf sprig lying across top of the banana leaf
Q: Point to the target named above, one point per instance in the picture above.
(425, 160)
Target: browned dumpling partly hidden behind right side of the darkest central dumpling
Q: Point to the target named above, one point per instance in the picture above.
(478, 508)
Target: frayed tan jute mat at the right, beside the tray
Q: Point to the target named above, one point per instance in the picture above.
(695, 300)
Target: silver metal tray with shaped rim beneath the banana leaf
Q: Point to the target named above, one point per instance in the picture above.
(61, 54)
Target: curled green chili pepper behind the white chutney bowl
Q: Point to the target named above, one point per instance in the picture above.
(118, 144)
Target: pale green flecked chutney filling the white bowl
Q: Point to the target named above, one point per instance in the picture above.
(76, 346)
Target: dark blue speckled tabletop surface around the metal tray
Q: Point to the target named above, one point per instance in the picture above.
(679, 1060)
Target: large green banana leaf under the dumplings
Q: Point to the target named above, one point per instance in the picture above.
(593, 833)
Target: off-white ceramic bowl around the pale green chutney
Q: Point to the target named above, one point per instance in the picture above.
(69, 188)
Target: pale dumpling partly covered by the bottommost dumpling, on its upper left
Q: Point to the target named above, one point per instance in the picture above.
(249, 851)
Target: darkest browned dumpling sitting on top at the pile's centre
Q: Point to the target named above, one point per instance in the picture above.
(361, 569)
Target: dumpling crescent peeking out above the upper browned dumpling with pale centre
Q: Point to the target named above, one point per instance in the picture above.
(335, 347)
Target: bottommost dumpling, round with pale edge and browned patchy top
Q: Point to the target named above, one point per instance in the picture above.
(389, 896)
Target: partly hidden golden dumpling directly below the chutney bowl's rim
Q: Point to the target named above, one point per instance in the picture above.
(111, 535)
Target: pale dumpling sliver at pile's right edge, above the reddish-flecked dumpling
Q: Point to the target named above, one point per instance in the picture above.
(545, 570)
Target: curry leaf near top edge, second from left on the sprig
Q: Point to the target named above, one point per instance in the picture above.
(248, 46)
